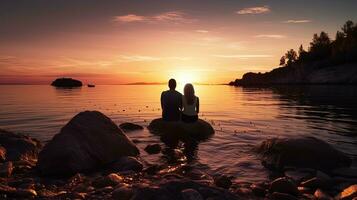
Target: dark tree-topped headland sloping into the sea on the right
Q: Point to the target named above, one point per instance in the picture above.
(325, 62)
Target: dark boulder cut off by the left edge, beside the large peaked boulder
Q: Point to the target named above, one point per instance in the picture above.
(18, 147)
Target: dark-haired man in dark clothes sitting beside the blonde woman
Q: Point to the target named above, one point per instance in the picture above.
(171, 103)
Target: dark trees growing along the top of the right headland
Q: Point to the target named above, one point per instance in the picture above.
(341, 50)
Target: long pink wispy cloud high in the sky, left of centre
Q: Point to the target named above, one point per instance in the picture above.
(171, 16)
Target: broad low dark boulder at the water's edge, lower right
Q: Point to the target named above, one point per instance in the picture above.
(305, 152)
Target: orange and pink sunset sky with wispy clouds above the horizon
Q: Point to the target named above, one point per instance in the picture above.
(118, 42)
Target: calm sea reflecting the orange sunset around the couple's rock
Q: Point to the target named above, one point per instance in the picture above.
(242, 117)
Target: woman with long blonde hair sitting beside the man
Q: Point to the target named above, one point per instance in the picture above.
(190, 104)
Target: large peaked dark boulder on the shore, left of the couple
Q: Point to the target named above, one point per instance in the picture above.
(88, 141)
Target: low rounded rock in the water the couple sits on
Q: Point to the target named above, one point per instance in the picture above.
(199, 130)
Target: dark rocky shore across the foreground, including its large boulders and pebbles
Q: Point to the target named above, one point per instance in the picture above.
(92, 158)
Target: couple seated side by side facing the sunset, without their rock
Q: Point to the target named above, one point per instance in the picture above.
(178, 107)
